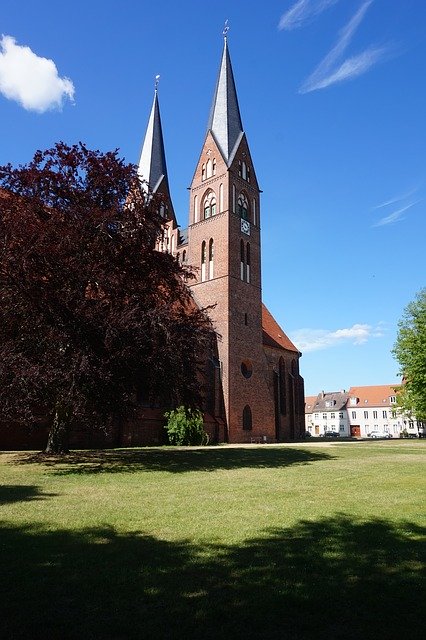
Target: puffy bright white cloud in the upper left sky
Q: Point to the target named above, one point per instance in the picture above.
(30, 80)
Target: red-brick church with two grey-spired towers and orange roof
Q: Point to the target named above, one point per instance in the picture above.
(256, 392)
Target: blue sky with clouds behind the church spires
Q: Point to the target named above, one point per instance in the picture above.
(333, 100)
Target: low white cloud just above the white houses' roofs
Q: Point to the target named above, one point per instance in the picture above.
(317, 339)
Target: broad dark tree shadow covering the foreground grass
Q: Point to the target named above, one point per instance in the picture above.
(337, 578)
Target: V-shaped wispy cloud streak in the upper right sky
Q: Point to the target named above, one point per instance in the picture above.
(330, 70)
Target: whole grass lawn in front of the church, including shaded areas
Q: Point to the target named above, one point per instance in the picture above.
(301, 541)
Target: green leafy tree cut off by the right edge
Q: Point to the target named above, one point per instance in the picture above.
(410, 351)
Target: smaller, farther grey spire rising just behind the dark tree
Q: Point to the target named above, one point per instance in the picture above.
(152, 163)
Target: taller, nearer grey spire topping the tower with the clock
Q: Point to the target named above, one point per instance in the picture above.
(225, 119)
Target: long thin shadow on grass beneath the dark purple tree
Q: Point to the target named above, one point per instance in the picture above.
(173, 460)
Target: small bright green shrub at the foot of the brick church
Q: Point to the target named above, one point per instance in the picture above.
(185, 426)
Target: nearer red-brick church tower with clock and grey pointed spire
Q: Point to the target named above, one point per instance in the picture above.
(224, 247)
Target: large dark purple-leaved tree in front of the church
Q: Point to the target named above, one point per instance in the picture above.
(90, 313)
